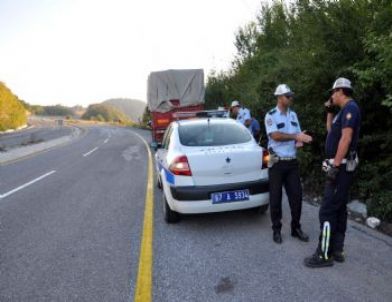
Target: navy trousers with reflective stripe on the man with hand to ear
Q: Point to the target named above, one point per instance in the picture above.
(334, 209)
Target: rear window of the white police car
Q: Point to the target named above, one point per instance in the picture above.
(210, 134)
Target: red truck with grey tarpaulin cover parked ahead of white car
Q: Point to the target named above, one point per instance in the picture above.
(173, 94)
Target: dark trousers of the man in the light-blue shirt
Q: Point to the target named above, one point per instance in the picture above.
(285, 173)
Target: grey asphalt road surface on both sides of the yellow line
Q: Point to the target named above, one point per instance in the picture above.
(75, 234)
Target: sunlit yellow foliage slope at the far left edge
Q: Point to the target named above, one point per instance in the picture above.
(12, 112)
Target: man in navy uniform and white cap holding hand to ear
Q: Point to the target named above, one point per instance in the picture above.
(341, 144)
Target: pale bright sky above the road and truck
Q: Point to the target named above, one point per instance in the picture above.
(78, 52)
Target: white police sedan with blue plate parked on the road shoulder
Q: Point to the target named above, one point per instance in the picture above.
(210, 165)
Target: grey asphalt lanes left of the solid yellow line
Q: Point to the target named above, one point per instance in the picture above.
(74, 235)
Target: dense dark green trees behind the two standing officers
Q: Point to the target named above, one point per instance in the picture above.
(308, 44)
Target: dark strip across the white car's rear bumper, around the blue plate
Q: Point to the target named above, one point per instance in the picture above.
(193, 193)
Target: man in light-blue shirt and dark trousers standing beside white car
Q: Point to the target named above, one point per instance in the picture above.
(284, 136)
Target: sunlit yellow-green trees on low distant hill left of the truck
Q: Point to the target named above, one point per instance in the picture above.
(104, 113)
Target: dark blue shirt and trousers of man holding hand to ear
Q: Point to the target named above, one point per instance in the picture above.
(333, 208)
